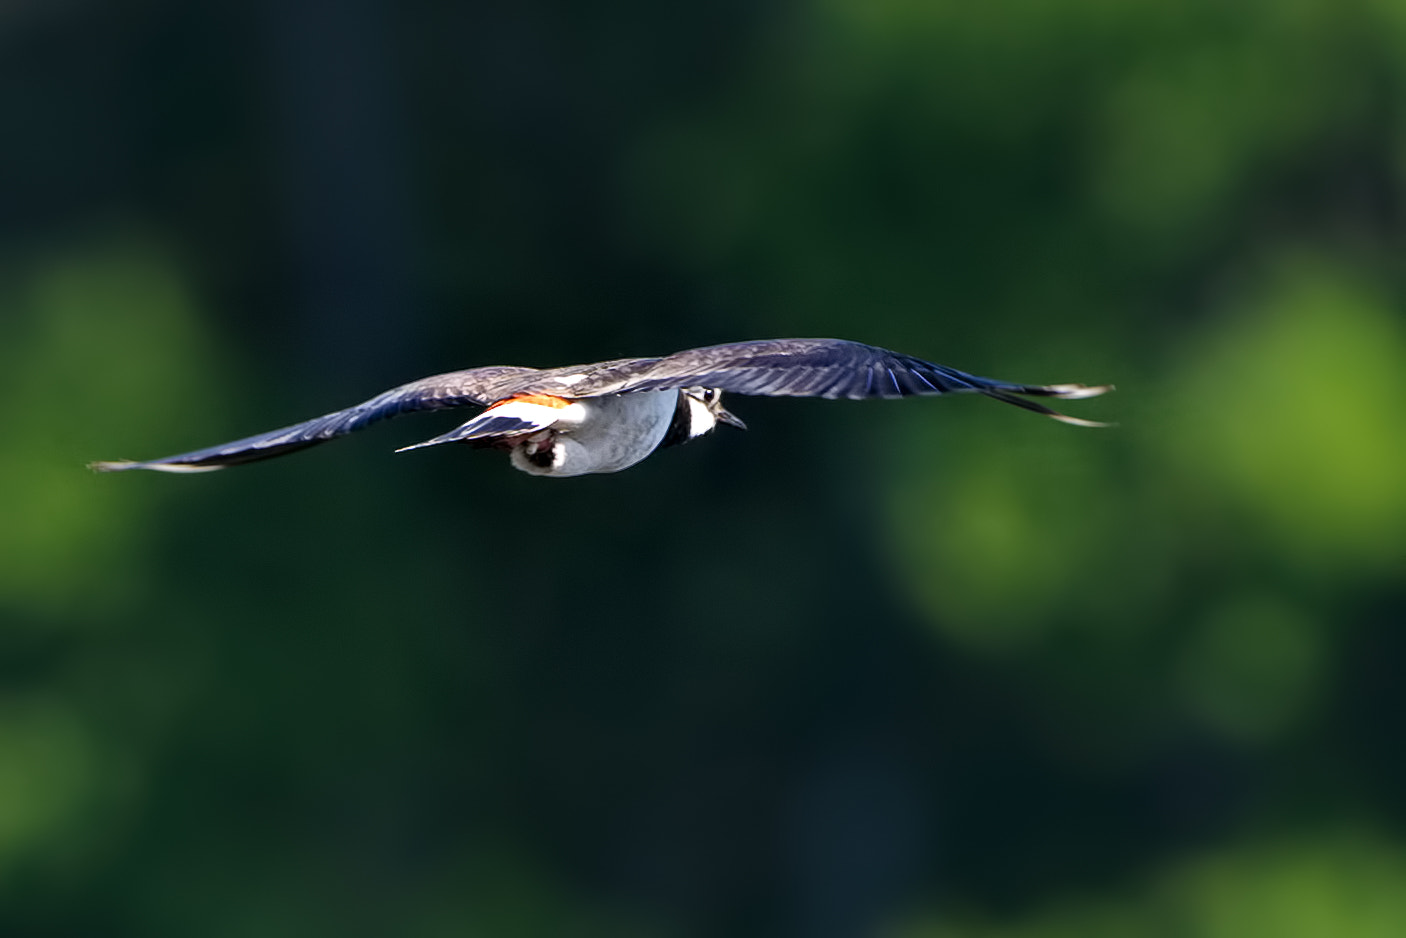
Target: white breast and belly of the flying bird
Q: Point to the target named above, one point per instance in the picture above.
(614, 434)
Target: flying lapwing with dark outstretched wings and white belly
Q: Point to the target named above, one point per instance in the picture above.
(607, 417)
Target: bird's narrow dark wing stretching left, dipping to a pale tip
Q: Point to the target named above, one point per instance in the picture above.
(439, 393)
